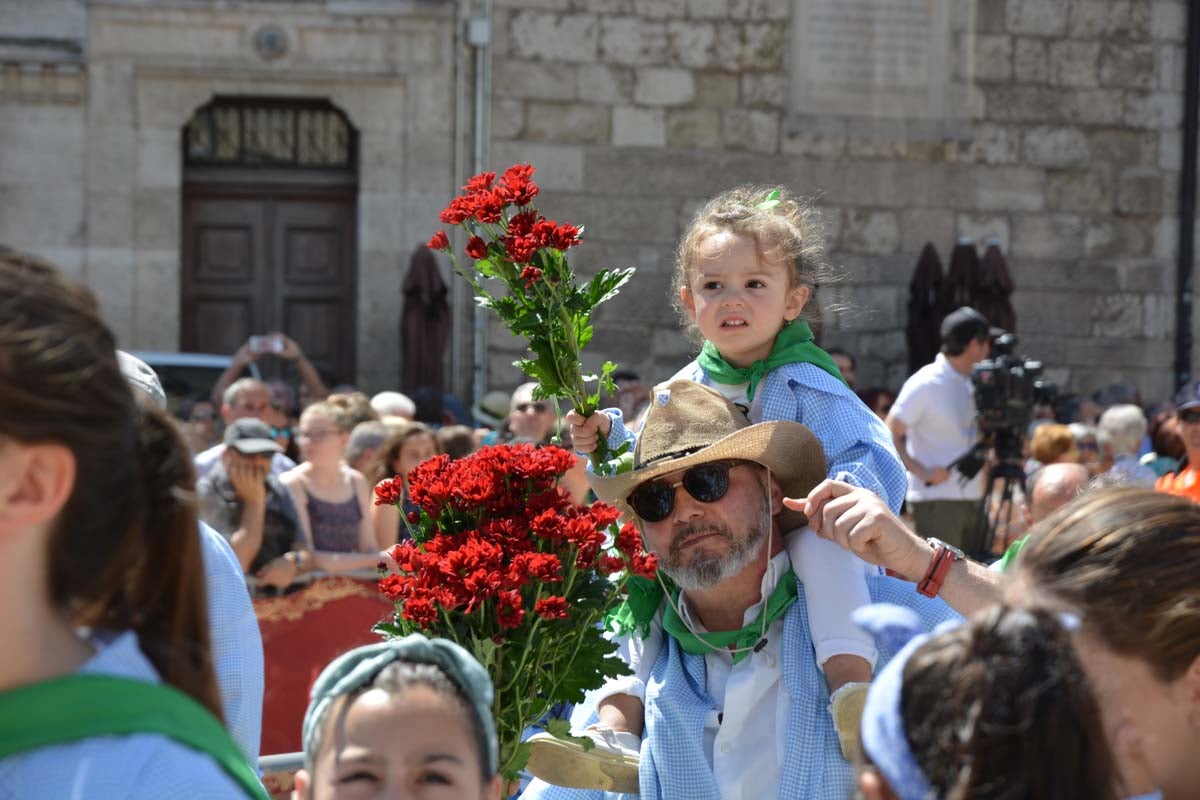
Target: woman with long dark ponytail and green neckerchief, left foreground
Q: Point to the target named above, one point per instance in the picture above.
(107, 685)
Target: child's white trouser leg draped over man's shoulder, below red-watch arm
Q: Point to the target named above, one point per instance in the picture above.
(835, 586)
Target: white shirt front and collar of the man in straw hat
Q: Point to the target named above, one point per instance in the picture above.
(746, 733)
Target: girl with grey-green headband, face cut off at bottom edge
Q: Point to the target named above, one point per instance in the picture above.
(405, 719)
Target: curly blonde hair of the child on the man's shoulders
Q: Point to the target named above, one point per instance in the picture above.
(783, 227)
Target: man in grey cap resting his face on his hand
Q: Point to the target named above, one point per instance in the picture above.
(249, 507)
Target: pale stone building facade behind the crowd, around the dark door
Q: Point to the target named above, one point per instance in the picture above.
(1064, 145)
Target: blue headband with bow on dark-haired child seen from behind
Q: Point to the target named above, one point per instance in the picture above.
(883, 733)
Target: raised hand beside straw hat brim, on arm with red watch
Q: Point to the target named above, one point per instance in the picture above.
(861, 521)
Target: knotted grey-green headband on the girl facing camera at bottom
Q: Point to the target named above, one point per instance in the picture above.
(352, 671)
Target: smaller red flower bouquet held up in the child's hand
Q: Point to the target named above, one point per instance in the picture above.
(512, 243)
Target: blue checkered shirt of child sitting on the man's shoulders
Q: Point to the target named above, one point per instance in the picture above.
(859, 447)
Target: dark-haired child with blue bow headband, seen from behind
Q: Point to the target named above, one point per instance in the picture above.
(995, 708)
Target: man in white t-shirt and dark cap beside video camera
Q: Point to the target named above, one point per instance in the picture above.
(933, 422)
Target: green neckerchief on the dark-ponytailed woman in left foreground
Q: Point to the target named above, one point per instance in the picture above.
(80, 707)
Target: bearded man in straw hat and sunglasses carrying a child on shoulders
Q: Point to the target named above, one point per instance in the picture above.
(735, 700)
